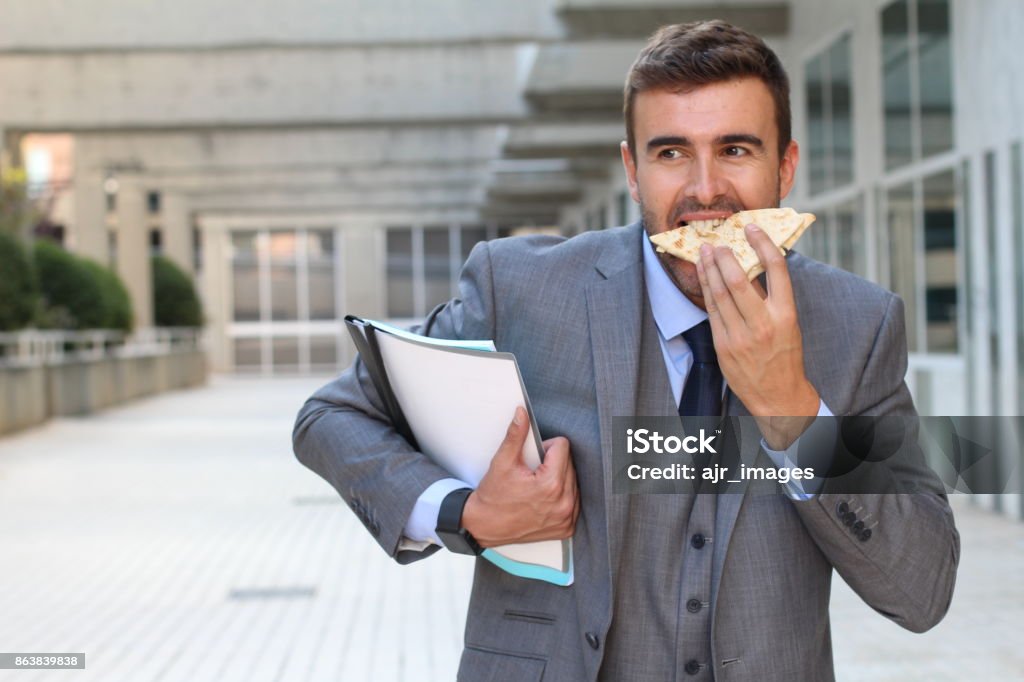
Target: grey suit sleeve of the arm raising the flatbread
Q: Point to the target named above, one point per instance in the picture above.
(900, 551)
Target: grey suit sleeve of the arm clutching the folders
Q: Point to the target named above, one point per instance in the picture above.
(345, 435)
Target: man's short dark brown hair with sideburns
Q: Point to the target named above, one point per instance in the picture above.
(685, 57)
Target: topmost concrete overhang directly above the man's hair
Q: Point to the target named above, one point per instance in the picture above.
(623, 19)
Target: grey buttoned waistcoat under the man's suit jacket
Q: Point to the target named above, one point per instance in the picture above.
(662, 618)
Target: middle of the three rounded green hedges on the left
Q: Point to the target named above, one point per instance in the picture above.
(79, 293)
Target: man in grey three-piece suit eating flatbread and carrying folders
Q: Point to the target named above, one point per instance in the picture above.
(673, 586)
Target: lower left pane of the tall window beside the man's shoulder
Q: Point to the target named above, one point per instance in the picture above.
(903, 259)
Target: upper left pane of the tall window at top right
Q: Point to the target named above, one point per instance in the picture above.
(897, 83)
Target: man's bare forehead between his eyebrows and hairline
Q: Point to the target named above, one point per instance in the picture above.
(742, 106)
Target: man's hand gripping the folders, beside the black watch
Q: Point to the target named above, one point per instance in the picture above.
(514, 504)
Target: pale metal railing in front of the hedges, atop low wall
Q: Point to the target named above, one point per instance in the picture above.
(38, 348)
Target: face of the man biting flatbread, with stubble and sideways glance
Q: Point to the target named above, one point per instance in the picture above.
(704, 155)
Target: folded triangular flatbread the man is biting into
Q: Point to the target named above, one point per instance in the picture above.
(784, 227)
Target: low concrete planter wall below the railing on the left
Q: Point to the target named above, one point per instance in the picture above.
(31, 396)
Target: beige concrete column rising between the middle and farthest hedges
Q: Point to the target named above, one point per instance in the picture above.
(134, 252)
